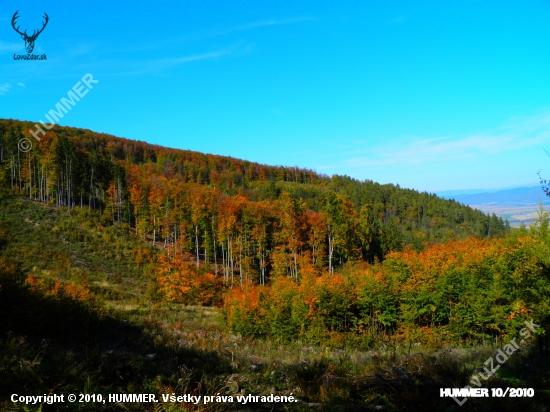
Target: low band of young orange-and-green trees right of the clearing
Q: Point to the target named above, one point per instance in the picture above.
(470, 290)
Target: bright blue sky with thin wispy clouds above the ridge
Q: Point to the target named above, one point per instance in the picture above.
(429, 95)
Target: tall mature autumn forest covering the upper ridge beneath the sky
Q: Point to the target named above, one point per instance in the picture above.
(227, 212)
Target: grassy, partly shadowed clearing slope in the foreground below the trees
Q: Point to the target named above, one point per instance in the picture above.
(126, 341)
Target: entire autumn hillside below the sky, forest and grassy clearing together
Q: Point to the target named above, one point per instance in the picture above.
(353, 276)
